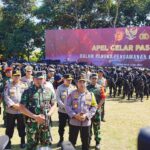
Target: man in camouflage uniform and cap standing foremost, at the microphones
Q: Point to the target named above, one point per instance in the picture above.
(38, 103)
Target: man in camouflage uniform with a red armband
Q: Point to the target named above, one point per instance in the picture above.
(99, 95)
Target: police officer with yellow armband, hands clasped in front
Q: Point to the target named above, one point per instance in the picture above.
(81, 107)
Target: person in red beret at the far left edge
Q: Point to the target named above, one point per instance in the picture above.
(6, 79)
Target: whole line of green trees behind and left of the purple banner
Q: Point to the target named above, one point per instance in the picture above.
(23, 22)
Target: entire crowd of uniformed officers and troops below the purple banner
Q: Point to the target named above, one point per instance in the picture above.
(30, 94)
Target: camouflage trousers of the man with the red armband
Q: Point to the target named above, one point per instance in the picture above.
(96, 126)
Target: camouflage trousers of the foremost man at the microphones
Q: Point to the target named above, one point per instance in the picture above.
(37, 135)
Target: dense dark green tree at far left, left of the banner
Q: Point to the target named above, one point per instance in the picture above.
(17, 28)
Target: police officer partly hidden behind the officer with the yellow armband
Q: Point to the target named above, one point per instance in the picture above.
(61, 94)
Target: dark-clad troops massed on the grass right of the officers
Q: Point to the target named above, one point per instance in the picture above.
(126, 81)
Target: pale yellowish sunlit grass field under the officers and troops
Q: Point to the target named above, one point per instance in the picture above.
(123, 120)
